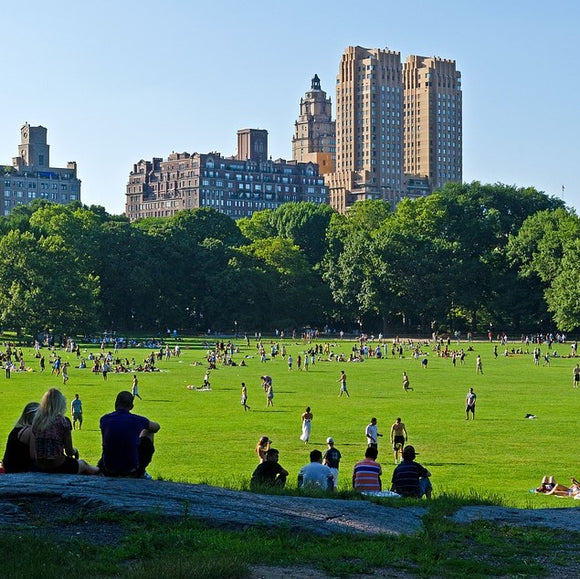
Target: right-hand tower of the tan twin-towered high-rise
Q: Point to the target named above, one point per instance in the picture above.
(433, 120)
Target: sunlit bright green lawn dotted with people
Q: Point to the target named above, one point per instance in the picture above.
(207, 436)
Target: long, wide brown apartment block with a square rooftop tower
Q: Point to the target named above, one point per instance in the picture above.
(237, 186)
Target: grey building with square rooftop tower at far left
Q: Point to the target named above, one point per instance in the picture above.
(31, 177)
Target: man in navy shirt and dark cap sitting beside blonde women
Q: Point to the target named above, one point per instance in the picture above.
(127, 440)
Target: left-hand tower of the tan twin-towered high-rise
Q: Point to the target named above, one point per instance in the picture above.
(369, 130)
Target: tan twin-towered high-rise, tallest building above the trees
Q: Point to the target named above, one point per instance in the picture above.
(392, 127)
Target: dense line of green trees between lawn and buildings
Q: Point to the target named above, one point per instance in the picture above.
(468, 257)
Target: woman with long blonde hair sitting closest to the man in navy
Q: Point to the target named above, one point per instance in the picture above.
(51, 442)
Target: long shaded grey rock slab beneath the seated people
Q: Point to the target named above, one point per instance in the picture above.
(217, 506)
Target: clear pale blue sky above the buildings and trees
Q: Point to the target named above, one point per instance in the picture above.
(116, 81)
